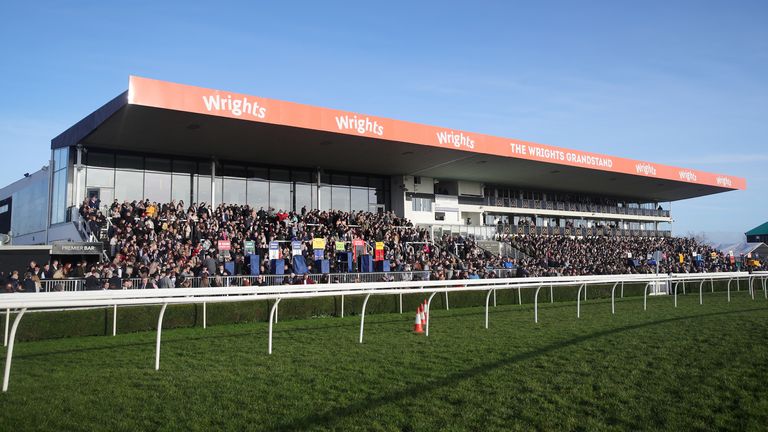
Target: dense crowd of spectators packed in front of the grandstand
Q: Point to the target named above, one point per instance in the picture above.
(152, 245)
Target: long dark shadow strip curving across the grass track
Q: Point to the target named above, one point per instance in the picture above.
(329, 417)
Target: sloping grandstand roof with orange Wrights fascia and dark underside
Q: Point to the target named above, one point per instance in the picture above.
(174, 119)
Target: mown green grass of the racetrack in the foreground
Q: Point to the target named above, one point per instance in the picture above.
(690, 368)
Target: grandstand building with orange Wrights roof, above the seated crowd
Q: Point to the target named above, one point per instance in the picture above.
(164, 141)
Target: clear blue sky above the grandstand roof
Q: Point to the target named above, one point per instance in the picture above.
(682, 83)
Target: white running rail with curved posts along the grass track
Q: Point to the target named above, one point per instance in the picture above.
(113, 298)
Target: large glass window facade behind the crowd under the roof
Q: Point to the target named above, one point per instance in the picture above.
(134, 177)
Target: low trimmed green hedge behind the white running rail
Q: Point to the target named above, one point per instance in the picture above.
(96, 322)
